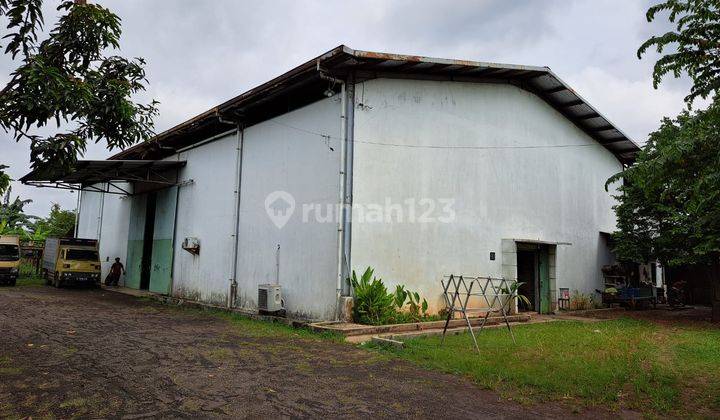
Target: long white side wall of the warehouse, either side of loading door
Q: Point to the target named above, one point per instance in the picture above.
(278, 155)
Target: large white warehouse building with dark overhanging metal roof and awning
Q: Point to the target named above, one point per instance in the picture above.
(418, 167)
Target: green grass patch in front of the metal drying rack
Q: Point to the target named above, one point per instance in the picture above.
(615, 363)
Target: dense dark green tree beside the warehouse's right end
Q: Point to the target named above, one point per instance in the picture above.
(670, 198)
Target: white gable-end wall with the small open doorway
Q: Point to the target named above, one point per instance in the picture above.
(548, 194)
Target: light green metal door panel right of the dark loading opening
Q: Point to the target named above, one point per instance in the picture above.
(163, 237)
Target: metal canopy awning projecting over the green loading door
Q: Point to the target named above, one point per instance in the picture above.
(88, 173)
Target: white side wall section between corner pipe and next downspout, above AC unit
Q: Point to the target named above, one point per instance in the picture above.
(283, 154)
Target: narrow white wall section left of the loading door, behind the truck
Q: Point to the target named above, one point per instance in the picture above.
(105, 217)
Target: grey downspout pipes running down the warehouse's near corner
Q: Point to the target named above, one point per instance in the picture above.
(347, 102)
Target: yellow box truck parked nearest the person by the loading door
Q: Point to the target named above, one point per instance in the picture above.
(71, 261)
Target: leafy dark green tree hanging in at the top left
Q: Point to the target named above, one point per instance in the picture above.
(68, 80)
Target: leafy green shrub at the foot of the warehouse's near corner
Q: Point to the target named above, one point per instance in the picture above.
(373, 304)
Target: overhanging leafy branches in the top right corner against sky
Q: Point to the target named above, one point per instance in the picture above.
(695, 43)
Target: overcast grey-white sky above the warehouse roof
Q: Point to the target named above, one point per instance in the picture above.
(201, 53)
